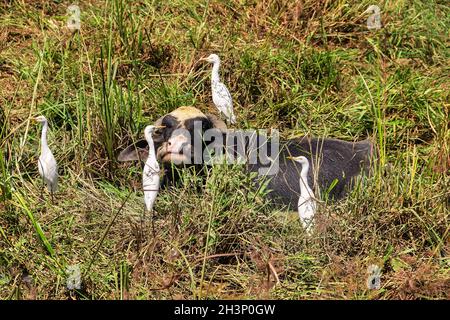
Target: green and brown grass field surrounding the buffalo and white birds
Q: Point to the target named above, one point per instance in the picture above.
(302, 67)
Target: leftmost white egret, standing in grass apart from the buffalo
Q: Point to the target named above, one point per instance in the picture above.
(47, 166)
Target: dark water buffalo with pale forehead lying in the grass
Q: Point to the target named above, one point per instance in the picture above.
(334, 163)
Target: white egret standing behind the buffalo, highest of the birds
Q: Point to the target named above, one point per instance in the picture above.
(221, 96)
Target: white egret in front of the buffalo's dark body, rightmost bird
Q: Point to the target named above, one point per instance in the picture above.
(306, 201)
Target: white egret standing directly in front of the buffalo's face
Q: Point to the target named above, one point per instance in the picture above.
(150, 174)
